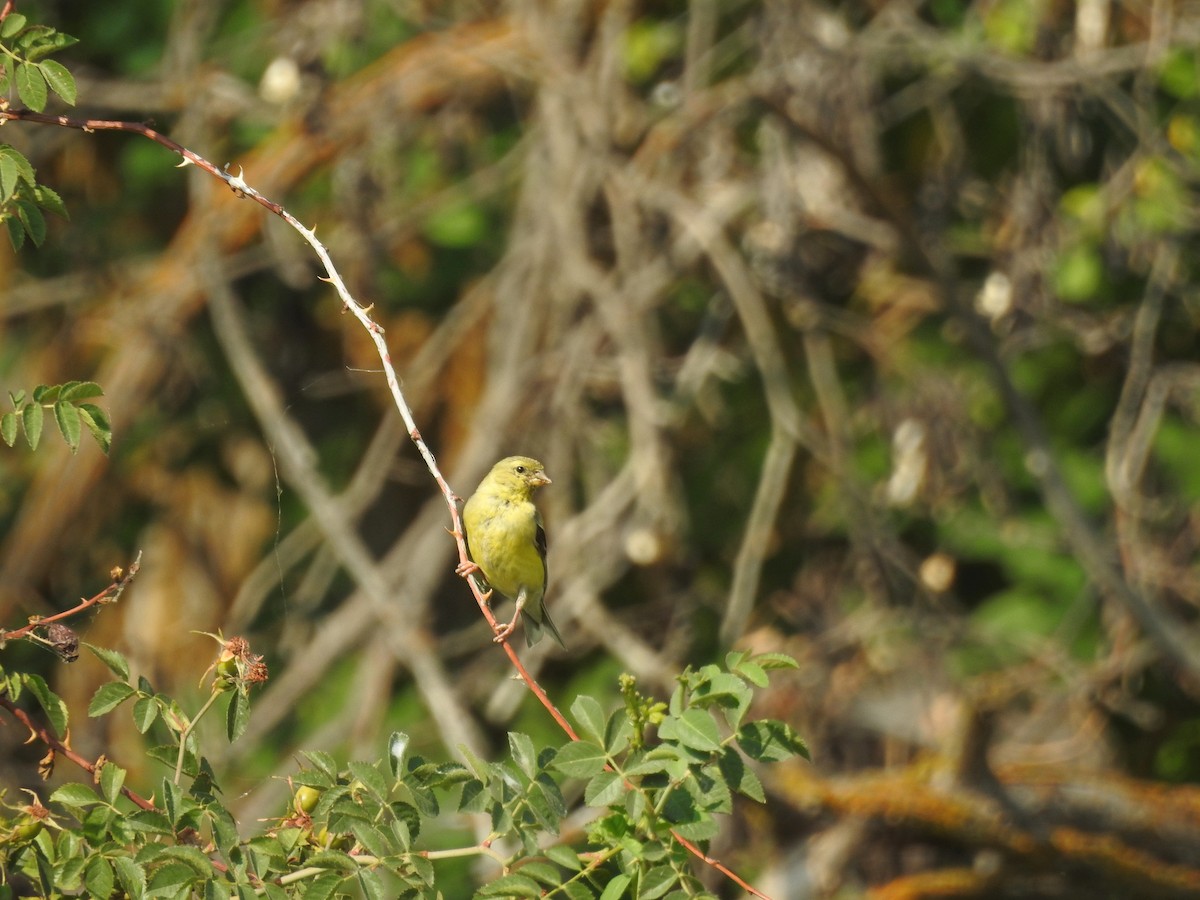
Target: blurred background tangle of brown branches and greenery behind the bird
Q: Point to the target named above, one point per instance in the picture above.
(863, 332)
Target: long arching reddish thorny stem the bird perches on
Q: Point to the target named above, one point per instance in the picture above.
(363, 314)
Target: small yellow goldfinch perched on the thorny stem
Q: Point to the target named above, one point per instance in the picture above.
(507, 542)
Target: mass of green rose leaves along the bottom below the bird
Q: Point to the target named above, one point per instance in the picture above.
(358, 827)
